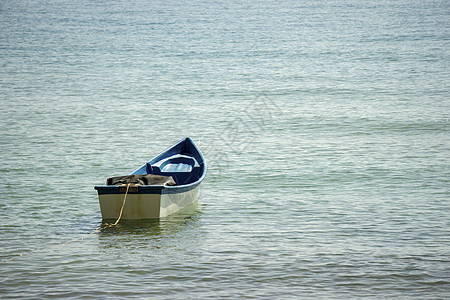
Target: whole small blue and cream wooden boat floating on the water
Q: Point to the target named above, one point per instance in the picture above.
(158, 188)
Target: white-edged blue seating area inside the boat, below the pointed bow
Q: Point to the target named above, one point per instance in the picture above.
(183, 168)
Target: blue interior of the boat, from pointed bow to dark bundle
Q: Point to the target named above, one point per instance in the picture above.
(183, 162)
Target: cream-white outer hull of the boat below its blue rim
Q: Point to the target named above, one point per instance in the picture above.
(146, 206)
